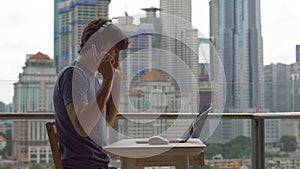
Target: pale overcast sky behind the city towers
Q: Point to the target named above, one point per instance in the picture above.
(27, 28)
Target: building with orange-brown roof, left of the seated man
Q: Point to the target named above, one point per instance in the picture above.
(33, 93)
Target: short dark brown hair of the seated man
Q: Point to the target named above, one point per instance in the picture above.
(120, 40)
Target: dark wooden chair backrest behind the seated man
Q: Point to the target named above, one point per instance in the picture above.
(54, 144)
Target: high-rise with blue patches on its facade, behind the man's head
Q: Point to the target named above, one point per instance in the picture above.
(73, 15)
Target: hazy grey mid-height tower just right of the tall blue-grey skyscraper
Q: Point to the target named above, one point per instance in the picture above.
(277, 98)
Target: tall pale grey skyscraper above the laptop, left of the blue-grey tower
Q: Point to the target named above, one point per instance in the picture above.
(180, 41)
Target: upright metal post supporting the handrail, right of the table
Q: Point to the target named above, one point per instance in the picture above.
(258, 143)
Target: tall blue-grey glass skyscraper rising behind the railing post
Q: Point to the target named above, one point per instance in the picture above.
(235, 30)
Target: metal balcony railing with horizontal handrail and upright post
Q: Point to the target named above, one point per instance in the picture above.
(257, 120)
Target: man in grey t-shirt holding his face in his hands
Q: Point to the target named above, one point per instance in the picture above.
(83, 106)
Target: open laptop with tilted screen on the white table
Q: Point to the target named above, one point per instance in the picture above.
(198, 123)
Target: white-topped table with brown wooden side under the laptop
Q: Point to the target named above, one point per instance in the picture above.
(134, 155)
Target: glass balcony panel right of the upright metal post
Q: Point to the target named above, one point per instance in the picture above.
(282, 143)
